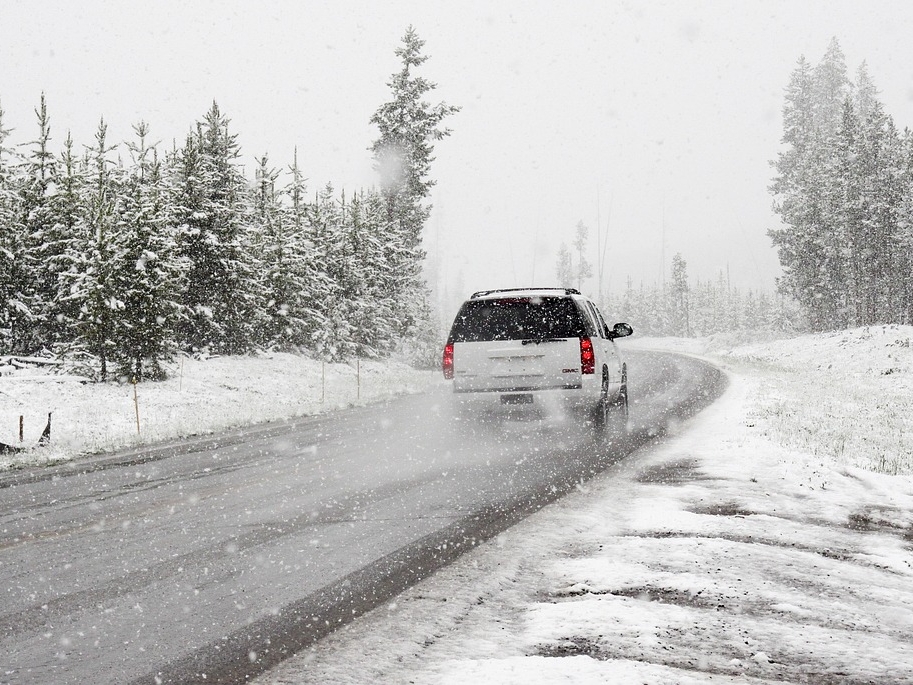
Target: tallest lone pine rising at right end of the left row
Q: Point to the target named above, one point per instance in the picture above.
(408, 126)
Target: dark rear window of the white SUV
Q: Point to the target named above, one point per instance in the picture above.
(517, 318)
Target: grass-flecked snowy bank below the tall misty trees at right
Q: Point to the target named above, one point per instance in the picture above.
(844, 395)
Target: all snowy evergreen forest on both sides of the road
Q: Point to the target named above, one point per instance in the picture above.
(116, 257)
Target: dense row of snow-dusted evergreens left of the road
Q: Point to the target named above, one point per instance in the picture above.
(123, 255)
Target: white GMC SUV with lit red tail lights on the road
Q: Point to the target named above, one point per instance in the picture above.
(525, 348)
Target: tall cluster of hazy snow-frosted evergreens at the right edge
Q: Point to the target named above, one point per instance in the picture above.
(844, 192)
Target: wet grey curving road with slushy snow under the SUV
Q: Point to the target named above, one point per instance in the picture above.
(225, 555)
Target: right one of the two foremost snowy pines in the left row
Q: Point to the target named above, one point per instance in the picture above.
(147, 275)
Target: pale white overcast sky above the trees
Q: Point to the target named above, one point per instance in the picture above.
(653, 118)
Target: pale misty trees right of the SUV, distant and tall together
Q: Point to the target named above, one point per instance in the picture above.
(843, 189)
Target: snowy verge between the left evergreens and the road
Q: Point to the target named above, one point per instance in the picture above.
(200, 396)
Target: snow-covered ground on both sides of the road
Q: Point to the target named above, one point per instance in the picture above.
(769, 540)
